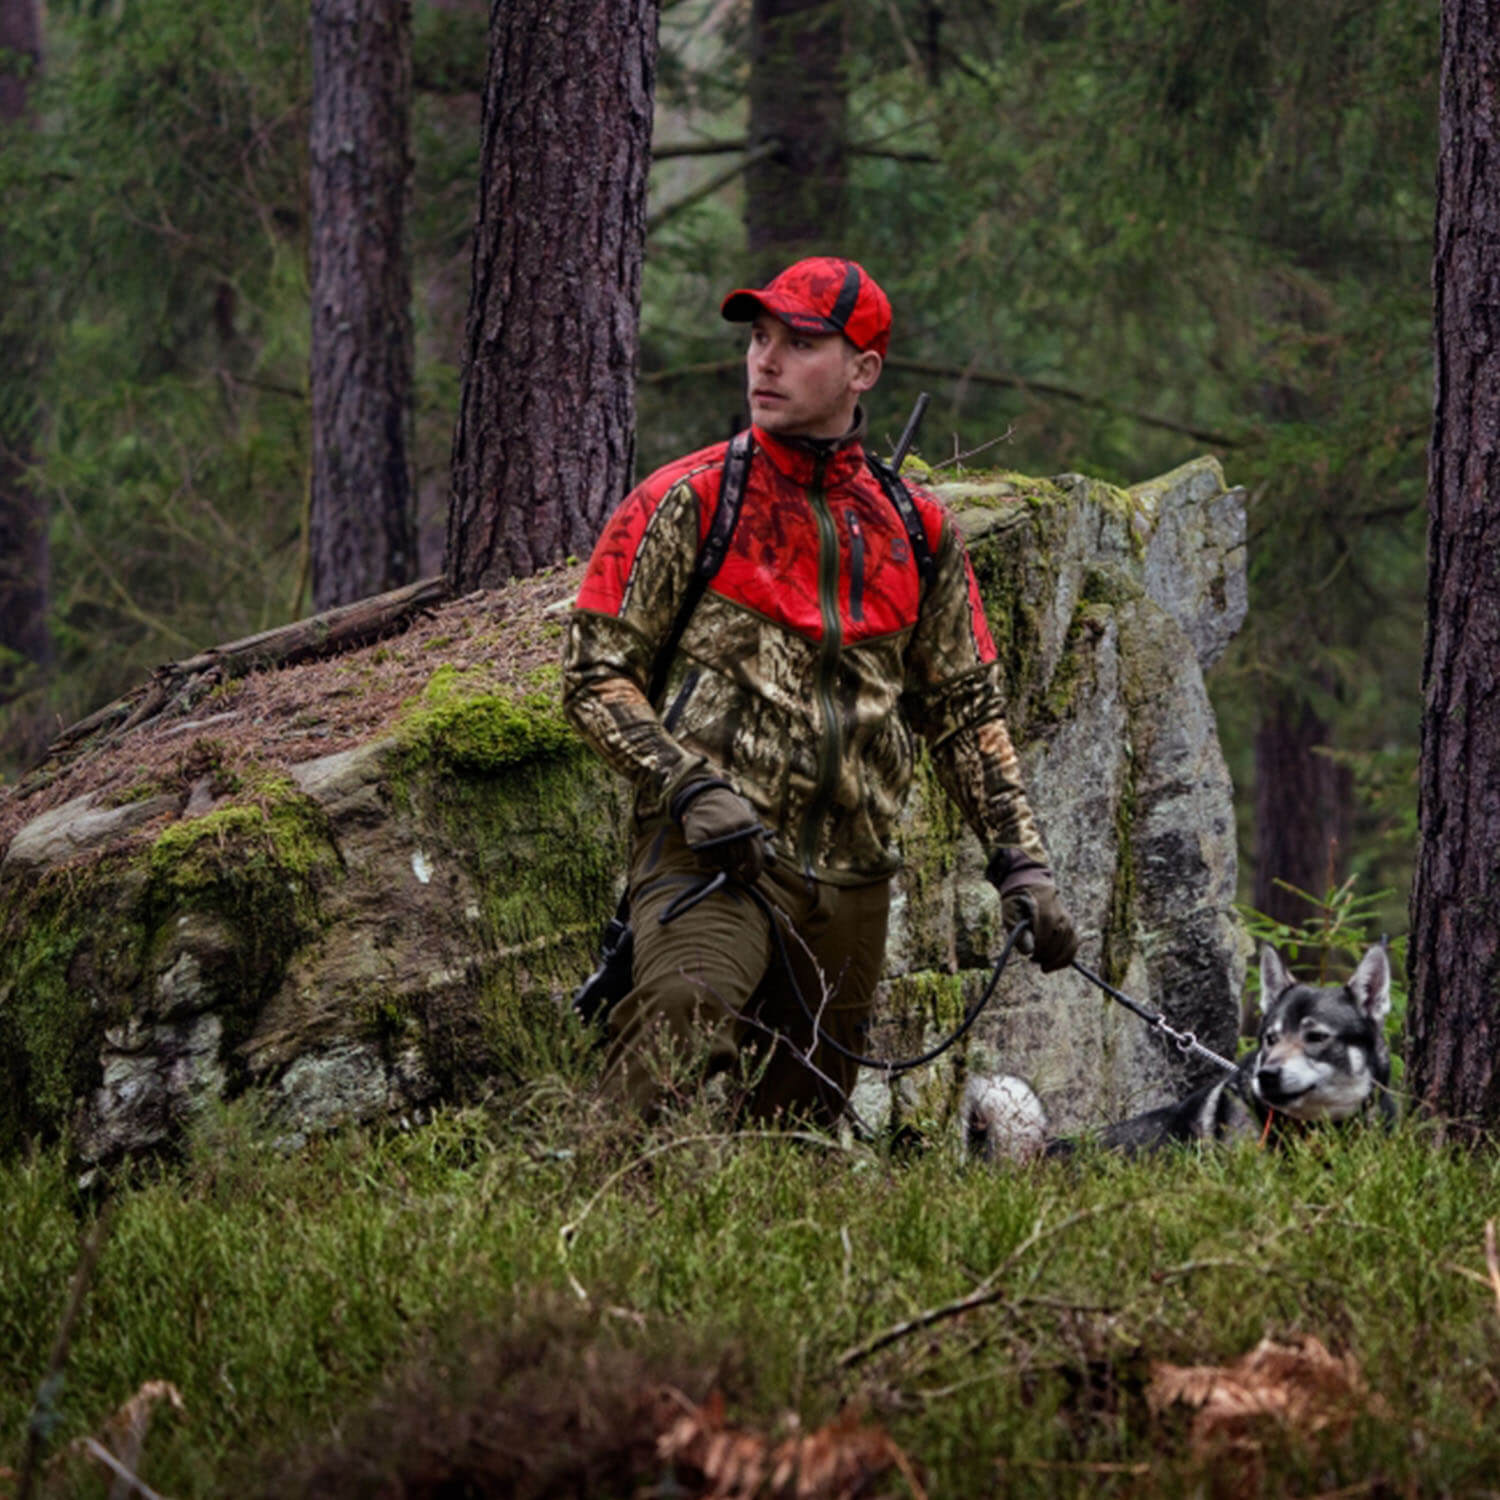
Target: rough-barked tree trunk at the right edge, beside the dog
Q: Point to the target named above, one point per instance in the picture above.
(1454, 1016)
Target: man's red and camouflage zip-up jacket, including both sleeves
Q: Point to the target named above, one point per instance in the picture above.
(809, 664)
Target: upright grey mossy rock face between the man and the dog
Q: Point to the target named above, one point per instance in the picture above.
(1106, 605)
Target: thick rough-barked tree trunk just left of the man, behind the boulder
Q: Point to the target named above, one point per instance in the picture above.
(545, 439)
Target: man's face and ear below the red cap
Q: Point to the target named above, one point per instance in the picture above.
(805, 385)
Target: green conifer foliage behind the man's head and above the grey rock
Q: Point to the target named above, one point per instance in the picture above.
(1207, 217)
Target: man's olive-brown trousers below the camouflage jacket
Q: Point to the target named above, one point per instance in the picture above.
(712, 992)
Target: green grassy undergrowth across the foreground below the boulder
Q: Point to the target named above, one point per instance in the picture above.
(287, 1297)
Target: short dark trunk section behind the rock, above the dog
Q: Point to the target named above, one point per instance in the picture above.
(1304, 811)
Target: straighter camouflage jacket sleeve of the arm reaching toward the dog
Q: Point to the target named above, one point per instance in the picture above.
(956, 703)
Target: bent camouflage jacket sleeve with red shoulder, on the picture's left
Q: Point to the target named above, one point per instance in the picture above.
(625, 613)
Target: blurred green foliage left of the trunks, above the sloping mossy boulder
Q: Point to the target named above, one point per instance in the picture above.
(154, 253)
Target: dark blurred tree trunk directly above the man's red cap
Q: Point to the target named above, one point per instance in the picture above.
(797, 197)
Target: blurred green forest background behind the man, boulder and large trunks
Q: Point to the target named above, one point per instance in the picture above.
(1117, 236)
